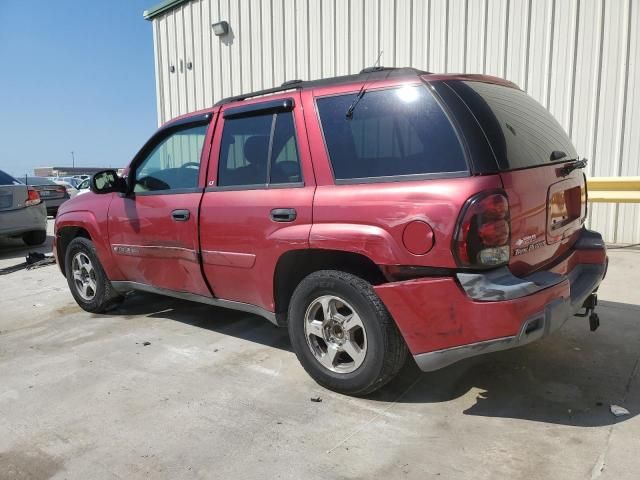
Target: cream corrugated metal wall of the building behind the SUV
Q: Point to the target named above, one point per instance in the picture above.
(579, 58)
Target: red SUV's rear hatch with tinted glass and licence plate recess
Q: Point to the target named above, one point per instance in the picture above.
(539, 170)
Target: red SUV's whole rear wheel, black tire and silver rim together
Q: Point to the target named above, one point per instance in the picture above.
(343, 335)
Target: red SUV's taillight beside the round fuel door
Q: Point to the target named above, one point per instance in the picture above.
(482, 238)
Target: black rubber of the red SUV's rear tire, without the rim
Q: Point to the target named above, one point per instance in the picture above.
(386, 350)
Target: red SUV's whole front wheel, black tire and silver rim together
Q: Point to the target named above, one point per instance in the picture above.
(87, 281)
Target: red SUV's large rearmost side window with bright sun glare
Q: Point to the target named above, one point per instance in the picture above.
(393, 132)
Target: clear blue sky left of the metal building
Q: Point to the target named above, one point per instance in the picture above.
(74, 76)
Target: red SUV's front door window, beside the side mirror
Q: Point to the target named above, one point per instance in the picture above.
(173, 164)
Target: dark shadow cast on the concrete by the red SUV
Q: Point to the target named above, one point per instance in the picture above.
(570, 378)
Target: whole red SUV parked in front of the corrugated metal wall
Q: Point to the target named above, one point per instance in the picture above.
(375, 215)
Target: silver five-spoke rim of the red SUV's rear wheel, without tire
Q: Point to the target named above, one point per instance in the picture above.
(335, 334)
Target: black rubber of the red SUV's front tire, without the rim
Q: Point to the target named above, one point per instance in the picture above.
(104, 295)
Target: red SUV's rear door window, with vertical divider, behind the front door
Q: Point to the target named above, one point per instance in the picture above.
(259, 150)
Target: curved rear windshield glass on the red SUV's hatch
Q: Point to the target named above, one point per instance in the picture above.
(522, 133)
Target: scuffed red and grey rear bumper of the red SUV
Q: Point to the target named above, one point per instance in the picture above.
(444, 320)
